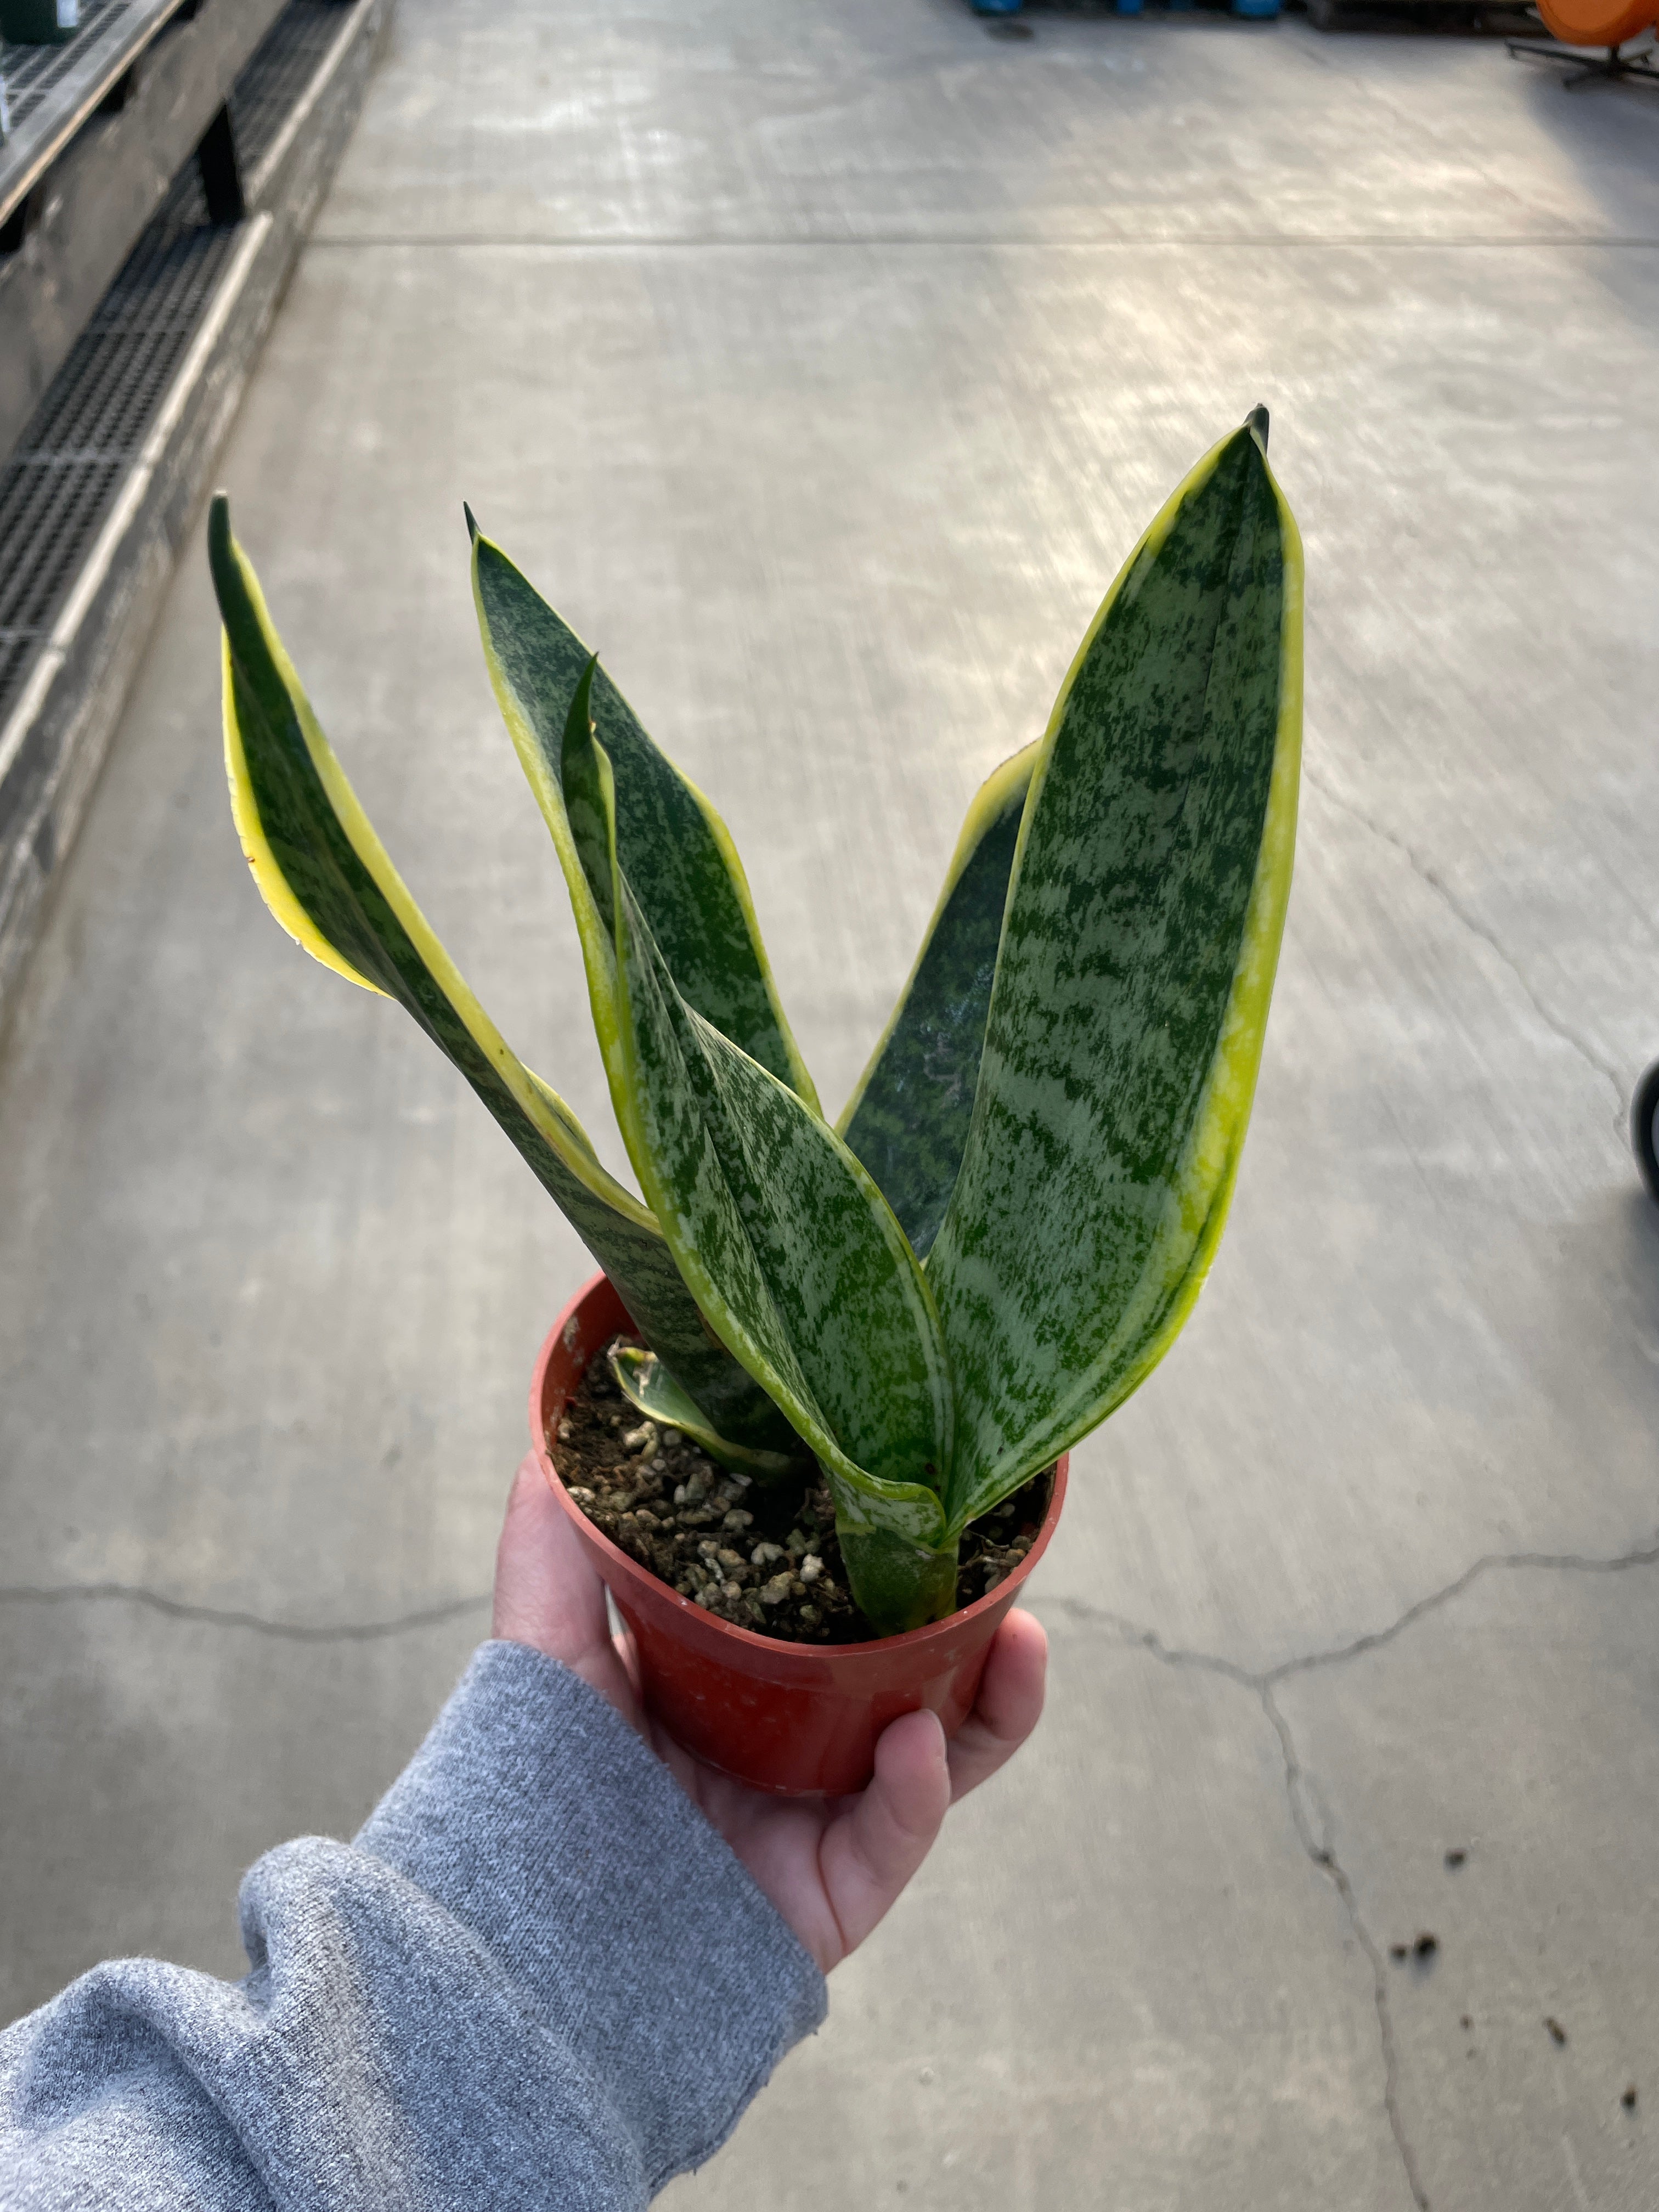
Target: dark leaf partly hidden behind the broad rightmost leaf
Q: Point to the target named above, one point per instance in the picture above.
(910, 1116)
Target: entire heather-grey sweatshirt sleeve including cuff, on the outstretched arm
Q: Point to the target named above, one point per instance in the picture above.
(539, 1979)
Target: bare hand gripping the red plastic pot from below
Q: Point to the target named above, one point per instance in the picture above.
(831, 1866)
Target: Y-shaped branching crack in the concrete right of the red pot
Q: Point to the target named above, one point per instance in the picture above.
(1315, 1833)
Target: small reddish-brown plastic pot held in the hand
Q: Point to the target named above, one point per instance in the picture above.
(800, 1720)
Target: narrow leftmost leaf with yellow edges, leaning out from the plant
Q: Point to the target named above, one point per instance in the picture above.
(331, 884)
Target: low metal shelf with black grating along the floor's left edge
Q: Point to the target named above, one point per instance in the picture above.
(105, 483)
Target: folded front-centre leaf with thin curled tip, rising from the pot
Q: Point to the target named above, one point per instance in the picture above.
(791, 1253)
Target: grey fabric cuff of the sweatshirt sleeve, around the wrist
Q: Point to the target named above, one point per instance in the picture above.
(545, 1826)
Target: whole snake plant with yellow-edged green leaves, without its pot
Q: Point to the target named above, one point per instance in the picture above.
(1003, 1233)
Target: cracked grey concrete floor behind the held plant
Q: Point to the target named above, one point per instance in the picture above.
(824, 362)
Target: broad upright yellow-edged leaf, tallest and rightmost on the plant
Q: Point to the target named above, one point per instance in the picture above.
(1131, 994)
